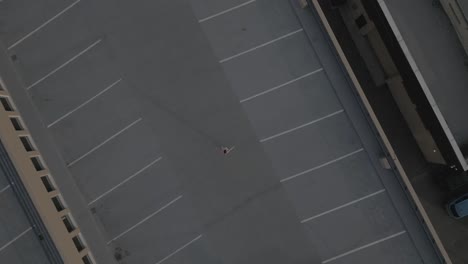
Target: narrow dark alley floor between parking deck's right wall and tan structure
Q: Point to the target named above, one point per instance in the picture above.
(425, 178)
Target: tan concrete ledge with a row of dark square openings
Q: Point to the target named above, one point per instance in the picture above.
(61, 248)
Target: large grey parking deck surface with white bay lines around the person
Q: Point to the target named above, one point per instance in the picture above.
(179, 98)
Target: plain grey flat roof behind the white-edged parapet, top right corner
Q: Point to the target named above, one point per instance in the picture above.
(441, 59)
